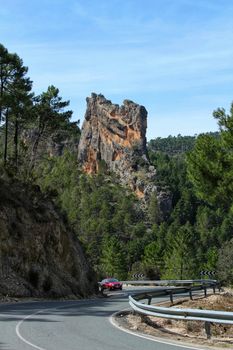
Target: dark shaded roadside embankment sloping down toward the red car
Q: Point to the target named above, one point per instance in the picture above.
(39, 256)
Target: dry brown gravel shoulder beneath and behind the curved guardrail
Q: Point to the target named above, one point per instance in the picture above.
(190, 332)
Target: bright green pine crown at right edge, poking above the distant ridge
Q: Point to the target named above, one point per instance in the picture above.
(210, 164)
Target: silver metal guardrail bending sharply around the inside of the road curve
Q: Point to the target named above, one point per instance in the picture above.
(207, 316)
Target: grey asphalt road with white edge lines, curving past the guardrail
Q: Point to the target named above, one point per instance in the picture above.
(70, 325)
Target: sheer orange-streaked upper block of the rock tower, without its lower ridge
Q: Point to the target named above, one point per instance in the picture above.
(112, 133)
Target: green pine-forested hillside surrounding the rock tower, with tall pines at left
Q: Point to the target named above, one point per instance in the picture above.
(121, 236)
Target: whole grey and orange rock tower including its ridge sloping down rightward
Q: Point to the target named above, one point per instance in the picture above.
(116, 135)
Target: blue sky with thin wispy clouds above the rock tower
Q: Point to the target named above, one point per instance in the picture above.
(175, 57)
